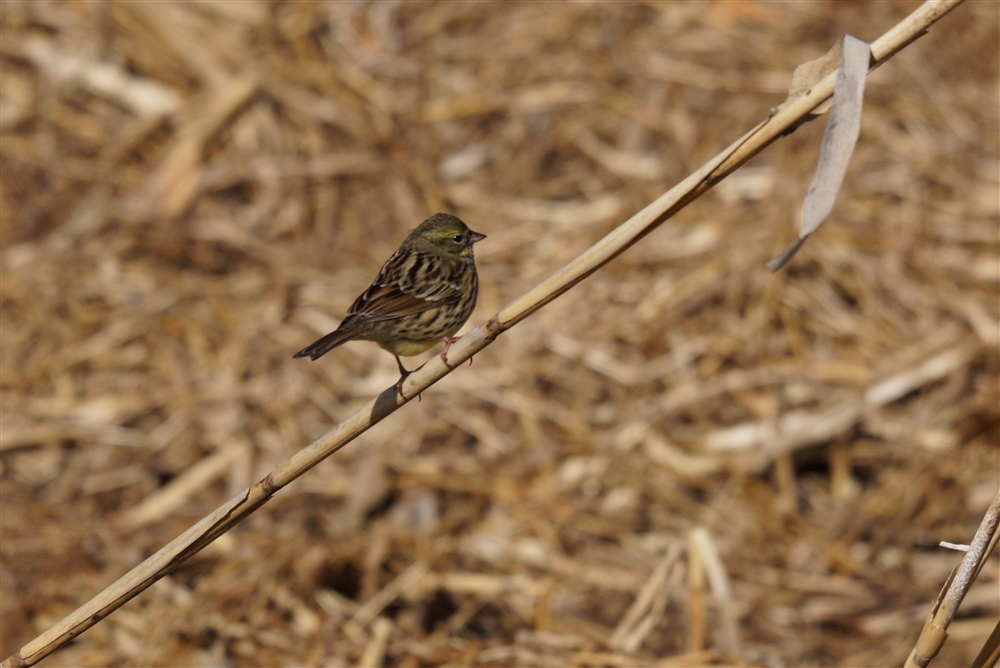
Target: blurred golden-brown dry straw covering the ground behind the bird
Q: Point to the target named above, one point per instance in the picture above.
(193, 192)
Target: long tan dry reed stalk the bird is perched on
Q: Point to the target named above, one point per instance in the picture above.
(784, 120)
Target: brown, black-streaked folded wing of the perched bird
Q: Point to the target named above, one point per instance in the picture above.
(408, 283)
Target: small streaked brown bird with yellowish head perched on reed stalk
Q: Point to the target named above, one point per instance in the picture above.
(422, 295)
